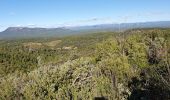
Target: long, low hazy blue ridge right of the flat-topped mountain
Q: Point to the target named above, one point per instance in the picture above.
(124, 26)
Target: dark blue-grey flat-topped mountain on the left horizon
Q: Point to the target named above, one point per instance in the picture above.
(19, 32)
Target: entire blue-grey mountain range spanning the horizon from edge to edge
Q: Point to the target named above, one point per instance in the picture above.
(20, 32)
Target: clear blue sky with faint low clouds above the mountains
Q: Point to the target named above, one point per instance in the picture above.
(58, 13)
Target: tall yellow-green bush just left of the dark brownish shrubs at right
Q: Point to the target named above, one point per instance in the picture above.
(136, 50)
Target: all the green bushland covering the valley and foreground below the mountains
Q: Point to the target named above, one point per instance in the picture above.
(132, 65)
